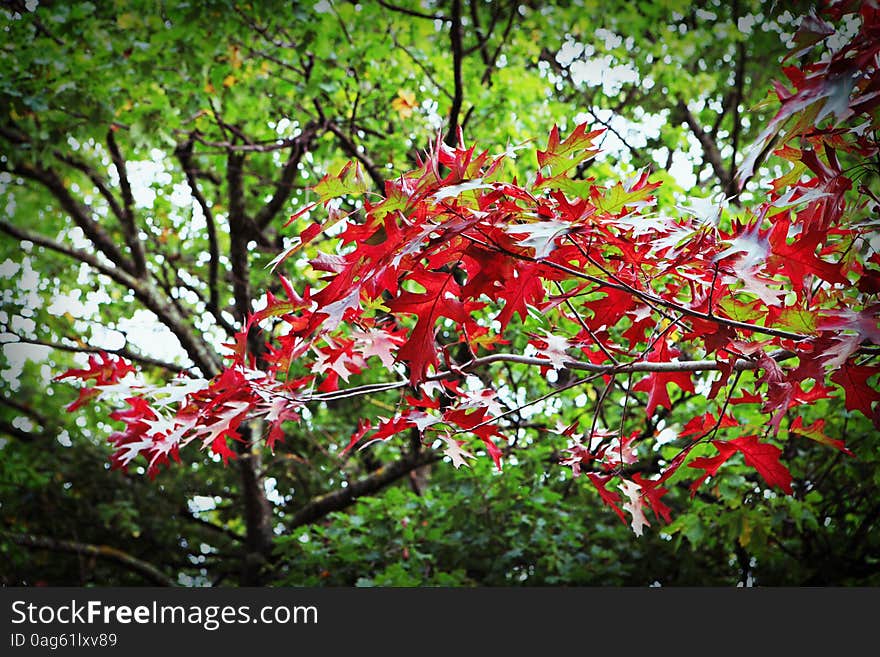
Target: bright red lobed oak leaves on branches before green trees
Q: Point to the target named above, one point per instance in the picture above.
(459, 268)
